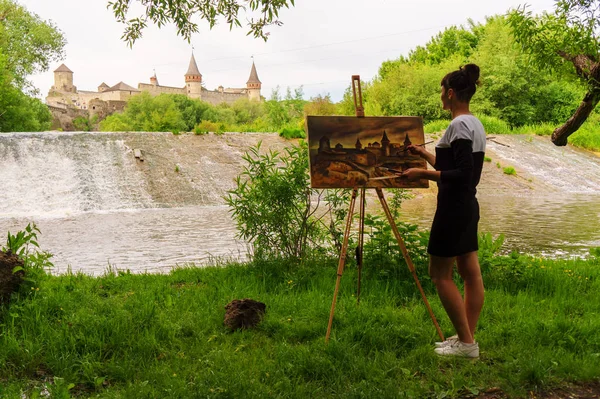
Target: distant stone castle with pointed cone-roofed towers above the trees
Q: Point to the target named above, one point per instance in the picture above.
(113, 98)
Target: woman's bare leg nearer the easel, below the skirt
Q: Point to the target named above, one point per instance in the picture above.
(440, 270)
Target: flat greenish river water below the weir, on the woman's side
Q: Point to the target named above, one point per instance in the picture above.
(568, 224)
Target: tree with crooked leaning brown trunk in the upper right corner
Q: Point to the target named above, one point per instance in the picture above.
(566, 41)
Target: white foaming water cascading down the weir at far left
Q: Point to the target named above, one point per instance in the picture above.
(60, 174)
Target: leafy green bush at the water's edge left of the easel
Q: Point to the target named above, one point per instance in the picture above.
(272, 203)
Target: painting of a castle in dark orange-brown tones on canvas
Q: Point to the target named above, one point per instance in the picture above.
(348, 152)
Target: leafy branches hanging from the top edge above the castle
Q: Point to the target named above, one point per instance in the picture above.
(262, 13)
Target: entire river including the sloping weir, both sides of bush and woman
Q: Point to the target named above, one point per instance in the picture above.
(96, 205)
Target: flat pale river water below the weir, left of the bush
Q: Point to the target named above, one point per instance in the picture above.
(153, 240)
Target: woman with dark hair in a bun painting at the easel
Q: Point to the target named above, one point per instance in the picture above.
(458, 161)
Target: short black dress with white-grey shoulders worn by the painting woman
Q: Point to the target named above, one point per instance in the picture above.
(459, 158)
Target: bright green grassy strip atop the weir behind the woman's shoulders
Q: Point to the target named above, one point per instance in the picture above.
(588, 136)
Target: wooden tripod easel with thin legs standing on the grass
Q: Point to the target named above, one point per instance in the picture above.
(360, 112)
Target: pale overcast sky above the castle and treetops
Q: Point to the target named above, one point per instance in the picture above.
(320, 45)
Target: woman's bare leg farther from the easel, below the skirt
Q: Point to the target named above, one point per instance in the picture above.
(469, 270)
